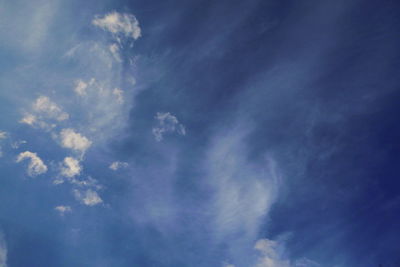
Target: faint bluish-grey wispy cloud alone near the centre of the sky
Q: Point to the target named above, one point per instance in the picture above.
(167, 123)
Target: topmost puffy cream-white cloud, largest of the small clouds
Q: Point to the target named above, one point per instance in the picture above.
(119, 23)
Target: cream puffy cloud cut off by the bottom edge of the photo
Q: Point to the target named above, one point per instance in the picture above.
(270, 254)
